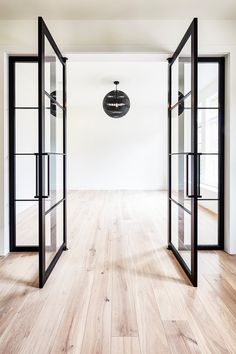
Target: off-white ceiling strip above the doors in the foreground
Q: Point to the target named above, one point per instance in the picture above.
(118, 9)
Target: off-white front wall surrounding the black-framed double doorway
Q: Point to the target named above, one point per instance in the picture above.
(215, 37)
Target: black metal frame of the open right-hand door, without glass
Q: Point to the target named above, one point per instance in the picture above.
(191, 33)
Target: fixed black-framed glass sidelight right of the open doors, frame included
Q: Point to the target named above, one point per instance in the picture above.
(211, 152)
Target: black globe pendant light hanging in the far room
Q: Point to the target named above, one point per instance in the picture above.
(116, 103)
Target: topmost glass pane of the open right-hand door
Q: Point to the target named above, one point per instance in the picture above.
(181, 74)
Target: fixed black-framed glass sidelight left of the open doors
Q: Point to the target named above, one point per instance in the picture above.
(23, 149)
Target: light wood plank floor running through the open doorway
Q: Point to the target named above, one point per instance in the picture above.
(117, 290)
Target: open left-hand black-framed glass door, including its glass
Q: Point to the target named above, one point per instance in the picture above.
(51, 159)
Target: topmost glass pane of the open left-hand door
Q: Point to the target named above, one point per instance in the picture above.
(53, 73)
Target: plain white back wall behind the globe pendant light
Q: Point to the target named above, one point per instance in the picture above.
(125, 153)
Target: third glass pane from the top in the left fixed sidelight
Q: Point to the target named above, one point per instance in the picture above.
(25, 176)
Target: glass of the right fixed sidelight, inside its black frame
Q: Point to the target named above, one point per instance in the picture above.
(208, 145)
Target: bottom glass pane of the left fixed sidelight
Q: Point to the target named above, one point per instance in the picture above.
(26, 223)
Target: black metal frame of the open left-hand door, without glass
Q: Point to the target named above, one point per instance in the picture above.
(43, 33)
